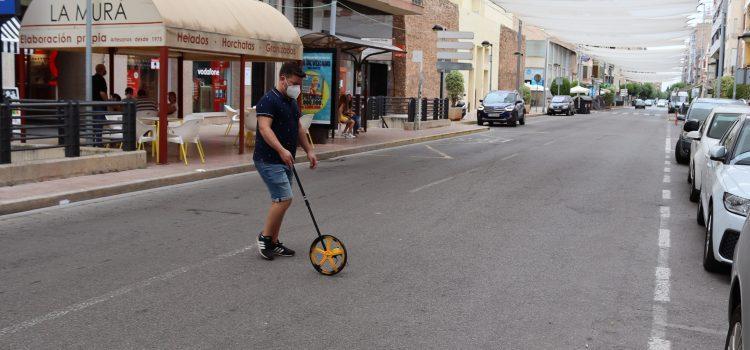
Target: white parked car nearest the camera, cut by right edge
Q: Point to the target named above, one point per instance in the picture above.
(725, 191)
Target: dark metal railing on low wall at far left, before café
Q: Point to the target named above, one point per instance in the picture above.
(65, 124)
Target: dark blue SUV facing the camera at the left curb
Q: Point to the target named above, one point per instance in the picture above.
(504, 107)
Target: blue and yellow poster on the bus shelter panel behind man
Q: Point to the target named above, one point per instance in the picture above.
(317, 88)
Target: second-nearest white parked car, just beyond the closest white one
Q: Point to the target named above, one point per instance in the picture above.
(708, 135)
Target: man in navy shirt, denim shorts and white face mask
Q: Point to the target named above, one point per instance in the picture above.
(279, 134)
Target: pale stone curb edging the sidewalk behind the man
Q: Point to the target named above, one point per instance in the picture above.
(39, 202)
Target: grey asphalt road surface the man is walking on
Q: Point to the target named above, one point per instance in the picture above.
(545, 236)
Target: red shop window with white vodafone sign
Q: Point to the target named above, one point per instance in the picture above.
(211, 81)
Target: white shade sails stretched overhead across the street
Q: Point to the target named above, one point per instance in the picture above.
(644, 38)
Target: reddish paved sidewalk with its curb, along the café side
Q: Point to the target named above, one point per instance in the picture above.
(221, 160)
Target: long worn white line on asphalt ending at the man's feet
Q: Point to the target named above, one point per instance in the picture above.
(119, 292)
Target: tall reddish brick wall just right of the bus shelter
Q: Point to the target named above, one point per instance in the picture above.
(420, 36)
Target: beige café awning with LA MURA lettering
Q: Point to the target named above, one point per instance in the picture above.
(197, 28)
